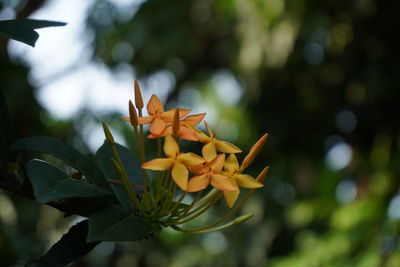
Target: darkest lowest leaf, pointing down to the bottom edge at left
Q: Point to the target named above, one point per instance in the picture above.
(69, 248)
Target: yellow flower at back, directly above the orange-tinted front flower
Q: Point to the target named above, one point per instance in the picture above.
(212, 144)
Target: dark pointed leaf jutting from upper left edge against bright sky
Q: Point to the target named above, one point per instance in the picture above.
(23, 30)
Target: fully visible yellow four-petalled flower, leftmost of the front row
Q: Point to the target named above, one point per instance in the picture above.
(176, 161)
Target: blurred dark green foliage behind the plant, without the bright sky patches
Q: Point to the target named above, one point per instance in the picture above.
(299, 219)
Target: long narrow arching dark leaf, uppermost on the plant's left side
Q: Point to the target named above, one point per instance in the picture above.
(63, 151)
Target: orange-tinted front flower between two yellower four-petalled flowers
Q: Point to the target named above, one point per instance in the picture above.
(210, 173)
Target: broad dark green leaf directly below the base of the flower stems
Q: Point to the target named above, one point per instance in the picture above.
(115, 224)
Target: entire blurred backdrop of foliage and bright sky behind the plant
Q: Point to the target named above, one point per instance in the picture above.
(320, 76)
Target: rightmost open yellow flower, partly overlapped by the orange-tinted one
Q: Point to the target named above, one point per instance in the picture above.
(231, 170)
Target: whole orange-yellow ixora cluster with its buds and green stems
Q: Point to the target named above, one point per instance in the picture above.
(181, 173)
